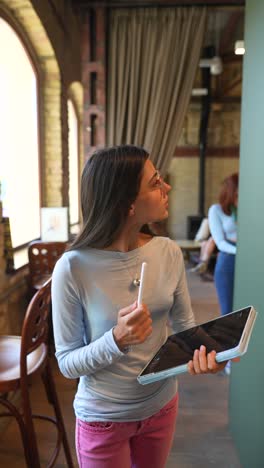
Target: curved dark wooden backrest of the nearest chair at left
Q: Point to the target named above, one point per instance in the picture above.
(36, 323)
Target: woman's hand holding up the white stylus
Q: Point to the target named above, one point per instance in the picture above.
(134, 325)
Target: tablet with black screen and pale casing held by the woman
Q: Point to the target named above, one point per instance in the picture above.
(228, 335)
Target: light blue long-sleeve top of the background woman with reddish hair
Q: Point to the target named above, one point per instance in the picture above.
(223, 229)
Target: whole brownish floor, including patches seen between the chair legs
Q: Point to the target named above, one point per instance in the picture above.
(201, 439)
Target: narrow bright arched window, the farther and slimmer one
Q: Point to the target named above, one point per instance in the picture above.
(73, 164)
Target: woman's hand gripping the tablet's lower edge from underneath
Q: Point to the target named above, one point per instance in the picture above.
(203, 363)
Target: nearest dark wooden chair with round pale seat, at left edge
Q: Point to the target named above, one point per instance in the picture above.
(22, 357)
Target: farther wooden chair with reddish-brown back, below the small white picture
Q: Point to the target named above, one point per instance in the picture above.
(42, 257)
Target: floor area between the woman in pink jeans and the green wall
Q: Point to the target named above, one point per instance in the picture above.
(202, 439)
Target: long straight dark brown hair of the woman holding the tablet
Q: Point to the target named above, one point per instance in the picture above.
(110, 184)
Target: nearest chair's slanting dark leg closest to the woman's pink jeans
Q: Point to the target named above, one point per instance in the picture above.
(49, 384)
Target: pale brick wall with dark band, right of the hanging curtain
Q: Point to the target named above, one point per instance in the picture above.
(221, 160)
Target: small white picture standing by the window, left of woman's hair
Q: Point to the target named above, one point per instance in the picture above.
(54, 224)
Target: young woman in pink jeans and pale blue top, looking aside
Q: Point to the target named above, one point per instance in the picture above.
(102, 335)
